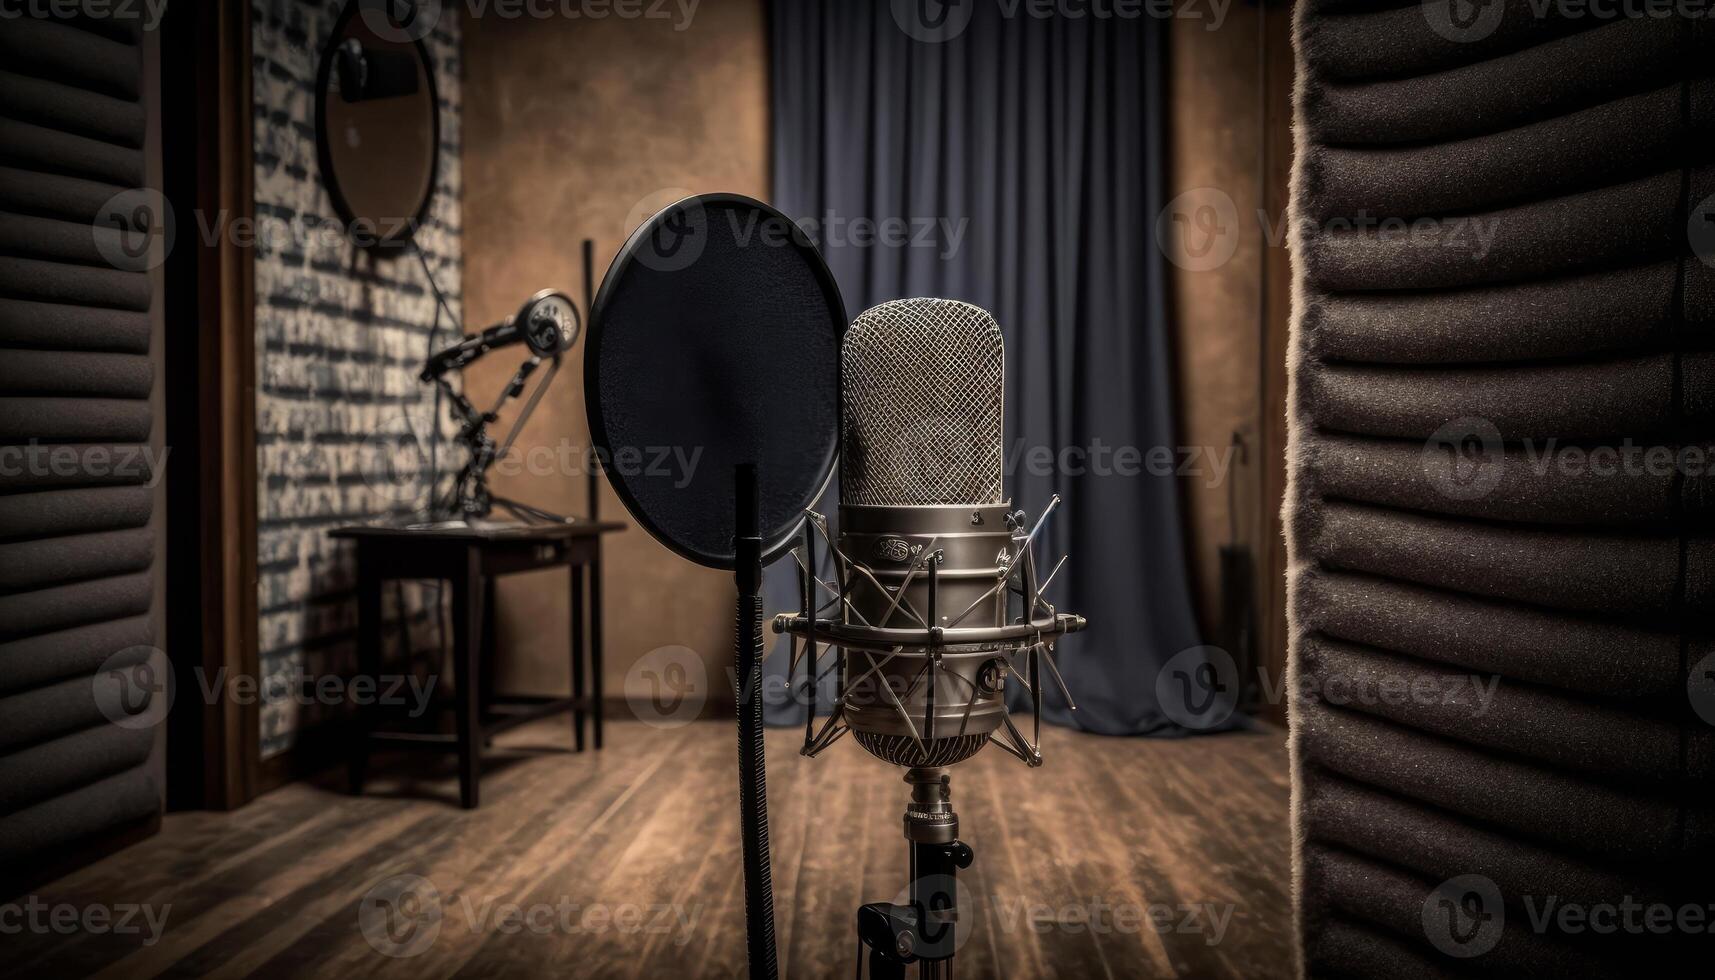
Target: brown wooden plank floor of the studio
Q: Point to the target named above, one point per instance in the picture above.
(627, 864)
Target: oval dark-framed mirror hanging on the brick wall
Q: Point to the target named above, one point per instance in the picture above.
(378, 130)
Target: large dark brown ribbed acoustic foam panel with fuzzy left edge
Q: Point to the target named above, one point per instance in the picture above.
(1491, 648)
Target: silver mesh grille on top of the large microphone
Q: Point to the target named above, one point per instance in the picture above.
(922, 397)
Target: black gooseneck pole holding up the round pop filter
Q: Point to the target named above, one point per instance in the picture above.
(754, 794)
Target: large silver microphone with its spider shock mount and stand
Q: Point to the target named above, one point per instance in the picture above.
(936, 600)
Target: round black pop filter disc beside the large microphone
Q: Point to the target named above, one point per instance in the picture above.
(716, 342)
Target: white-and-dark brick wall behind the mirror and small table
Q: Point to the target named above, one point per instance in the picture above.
(340, 337)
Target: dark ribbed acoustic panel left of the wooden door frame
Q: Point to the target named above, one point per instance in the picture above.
(76, 552)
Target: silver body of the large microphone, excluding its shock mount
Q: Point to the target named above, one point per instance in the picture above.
(924, 394)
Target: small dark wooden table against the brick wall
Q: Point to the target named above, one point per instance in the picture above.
(471, 559)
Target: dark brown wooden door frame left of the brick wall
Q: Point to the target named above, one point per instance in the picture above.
(207, 78)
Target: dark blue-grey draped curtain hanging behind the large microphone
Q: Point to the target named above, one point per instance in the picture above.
(1014, 164)
